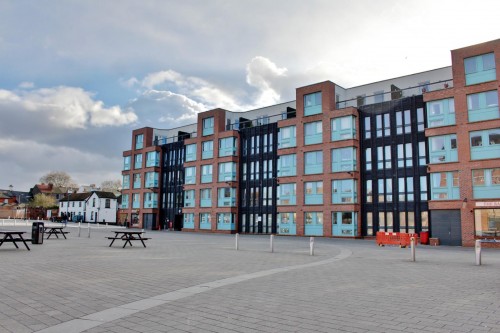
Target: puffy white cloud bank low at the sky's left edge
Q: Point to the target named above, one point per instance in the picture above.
(66, 107)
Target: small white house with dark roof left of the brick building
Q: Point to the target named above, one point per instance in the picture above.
(95, 206)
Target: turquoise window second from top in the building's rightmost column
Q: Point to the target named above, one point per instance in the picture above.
(483, 106)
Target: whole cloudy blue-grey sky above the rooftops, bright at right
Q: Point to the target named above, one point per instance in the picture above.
(77, 76)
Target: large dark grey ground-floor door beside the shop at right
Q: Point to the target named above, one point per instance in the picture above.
(446, 225)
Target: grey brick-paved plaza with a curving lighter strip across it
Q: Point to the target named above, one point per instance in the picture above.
(187, 282)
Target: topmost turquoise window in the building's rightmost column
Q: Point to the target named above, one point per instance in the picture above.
(480, 69)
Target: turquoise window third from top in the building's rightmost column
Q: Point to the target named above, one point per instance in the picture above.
(485, 144)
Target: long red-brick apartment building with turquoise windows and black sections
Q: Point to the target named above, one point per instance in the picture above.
(414, 153)
